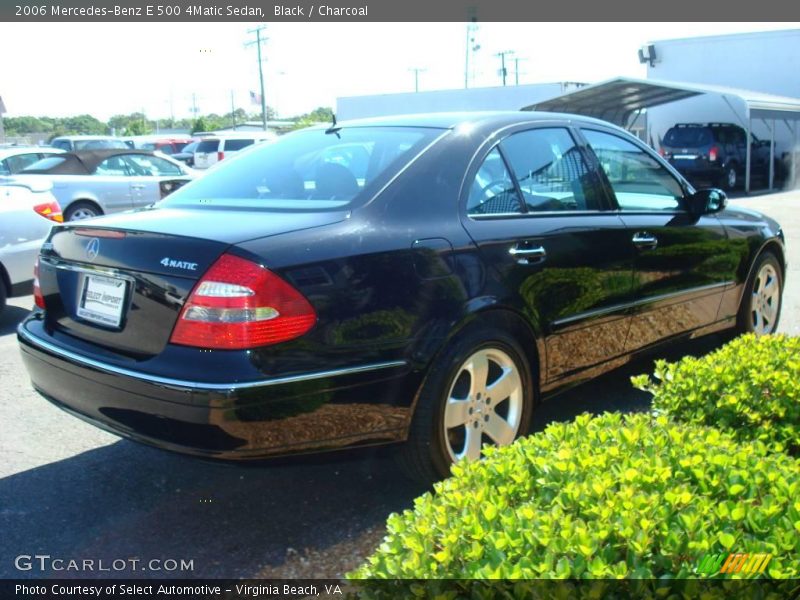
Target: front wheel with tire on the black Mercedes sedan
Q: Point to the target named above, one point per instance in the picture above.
(760, 309)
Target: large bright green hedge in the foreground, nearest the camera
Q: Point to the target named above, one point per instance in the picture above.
(606, 497)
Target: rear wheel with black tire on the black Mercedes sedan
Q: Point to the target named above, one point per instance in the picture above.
(455, 411)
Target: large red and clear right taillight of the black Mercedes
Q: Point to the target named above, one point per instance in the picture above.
(239, 304)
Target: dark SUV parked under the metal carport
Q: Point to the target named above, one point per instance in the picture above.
(715, 153)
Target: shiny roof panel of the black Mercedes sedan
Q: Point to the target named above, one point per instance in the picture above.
(451, 120)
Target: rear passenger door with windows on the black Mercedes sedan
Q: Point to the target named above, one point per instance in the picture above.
(539, 215)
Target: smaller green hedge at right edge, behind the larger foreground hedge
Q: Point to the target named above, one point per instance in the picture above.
(749, 387)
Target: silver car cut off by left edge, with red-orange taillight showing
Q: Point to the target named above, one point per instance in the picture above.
(27, 211)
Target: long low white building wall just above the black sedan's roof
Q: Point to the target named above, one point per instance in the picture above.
(492, 98)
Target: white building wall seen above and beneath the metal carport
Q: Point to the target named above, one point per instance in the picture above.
(765, 62)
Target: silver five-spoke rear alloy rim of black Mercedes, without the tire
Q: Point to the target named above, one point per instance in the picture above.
(484, 404)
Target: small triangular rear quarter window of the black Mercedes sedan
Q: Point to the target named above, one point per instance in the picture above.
(493, 191)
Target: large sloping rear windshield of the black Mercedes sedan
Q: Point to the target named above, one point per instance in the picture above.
(310, 169)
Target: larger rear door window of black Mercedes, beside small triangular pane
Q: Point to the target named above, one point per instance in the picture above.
(551, 171)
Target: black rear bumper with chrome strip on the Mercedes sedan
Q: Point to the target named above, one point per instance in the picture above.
(232, 420)
